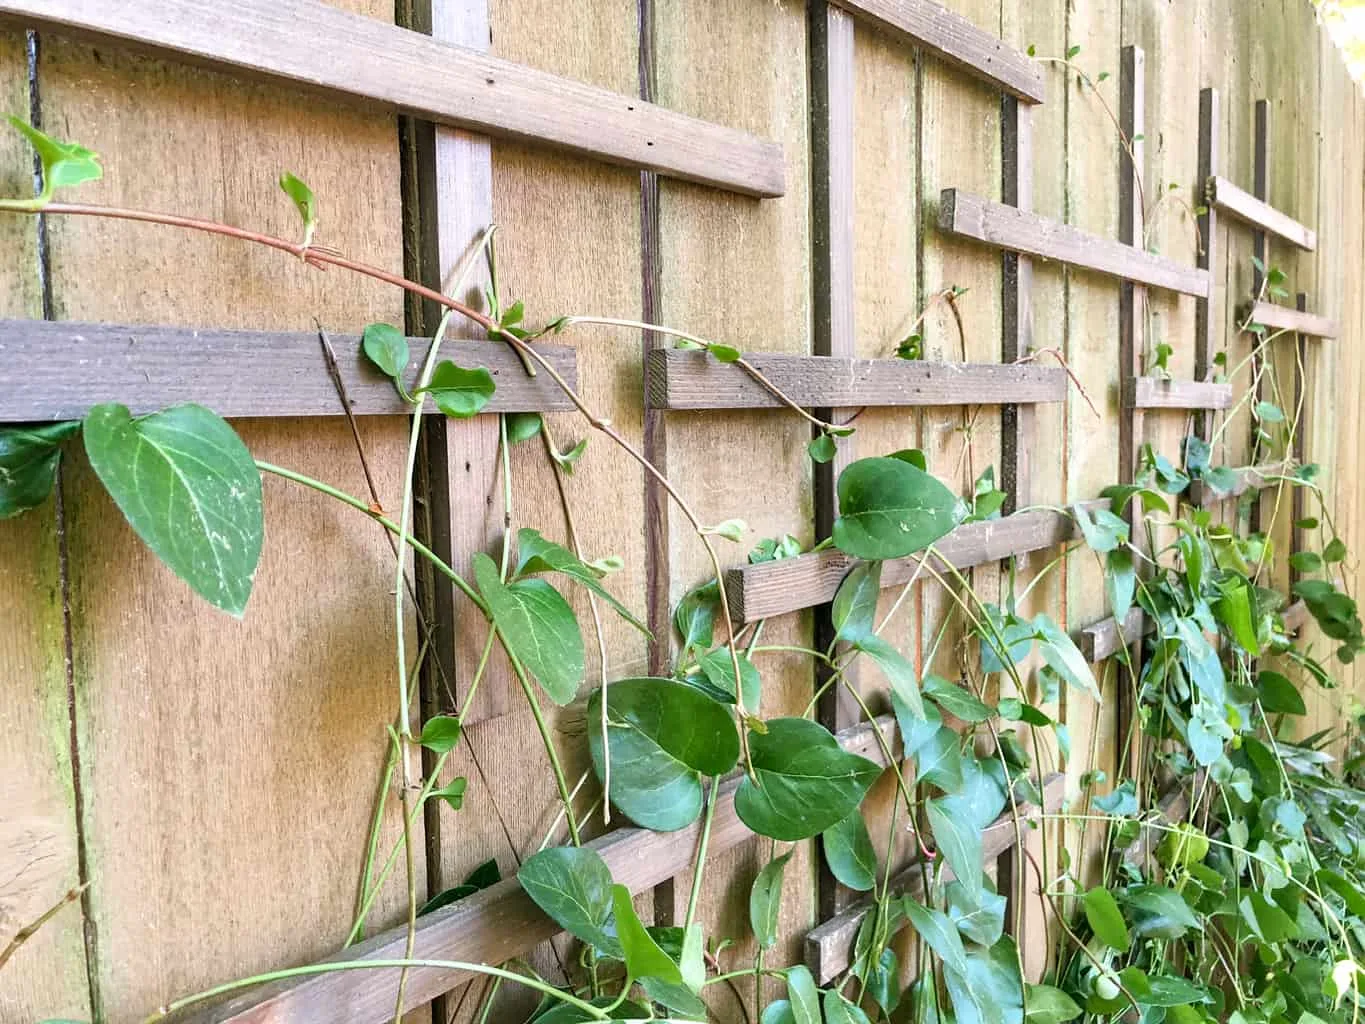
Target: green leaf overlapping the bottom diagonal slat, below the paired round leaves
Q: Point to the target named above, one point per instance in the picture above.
(574, 887)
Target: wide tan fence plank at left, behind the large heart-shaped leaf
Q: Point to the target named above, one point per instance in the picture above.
(211, 750)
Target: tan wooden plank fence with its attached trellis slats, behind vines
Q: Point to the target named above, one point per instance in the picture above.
(801, 184)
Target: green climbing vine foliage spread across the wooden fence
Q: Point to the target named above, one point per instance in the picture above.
(1248, 907)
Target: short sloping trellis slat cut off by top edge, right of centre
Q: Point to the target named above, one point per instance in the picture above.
(953, 39)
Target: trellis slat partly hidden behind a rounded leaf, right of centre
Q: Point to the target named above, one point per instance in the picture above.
(809, 581)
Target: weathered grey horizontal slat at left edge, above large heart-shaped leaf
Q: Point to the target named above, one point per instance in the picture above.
(54, 371)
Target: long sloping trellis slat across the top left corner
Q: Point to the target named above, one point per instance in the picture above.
(316, 46)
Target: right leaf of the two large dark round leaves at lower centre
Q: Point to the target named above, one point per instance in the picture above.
(806, 782)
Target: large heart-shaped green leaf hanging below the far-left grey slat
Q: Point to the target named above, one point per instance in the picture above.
(190, 489)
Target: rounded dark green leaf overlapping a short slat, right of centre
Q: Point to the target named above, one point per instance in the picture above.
(889, 509)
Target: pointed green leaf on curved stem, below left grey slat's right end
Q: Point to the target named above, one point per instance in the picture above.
(538, 627)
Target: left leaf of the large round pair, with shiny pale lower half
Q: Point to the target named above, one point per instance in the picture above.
(664, 737)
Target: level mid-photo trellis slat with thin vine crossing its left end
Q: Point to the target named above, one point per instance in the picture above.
(691, 380)
